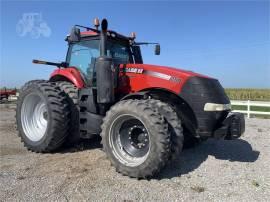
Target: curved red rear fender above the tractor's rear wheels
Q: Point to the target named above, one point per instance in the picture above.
(72, 74)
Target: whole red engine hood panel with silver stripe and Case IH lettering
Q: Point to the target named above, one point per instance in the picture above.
(138, 77)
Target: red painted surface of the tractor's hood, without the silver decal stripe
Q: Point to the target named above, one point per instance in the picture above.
(131, 82)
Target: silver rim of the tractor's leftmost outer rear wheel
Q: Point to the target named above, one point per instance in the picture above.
(34, 115)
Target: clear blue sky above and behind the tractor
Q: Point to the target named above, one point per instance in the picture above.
(227, 40)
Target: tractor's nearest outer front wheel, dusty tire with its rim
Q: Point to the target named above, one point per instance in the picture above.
(128, 125)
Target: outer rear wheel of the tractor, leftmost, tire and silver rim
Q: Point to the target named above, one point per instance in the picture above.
(42, 116)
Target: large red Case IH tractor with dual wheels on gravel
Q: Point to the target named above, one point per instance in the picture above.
(144, 113)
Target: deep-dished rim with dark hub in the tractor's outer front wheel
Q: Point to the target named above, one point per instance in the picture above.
(129, 140)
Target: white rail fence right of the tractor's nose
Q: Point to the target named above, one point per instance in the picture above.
(249, 103)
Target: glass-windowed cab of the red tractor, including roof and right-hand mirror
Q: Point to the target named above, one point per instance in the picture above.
(86, 46)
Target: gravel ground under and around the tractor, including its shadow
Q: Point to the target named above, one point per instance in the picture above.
(216, 170)
